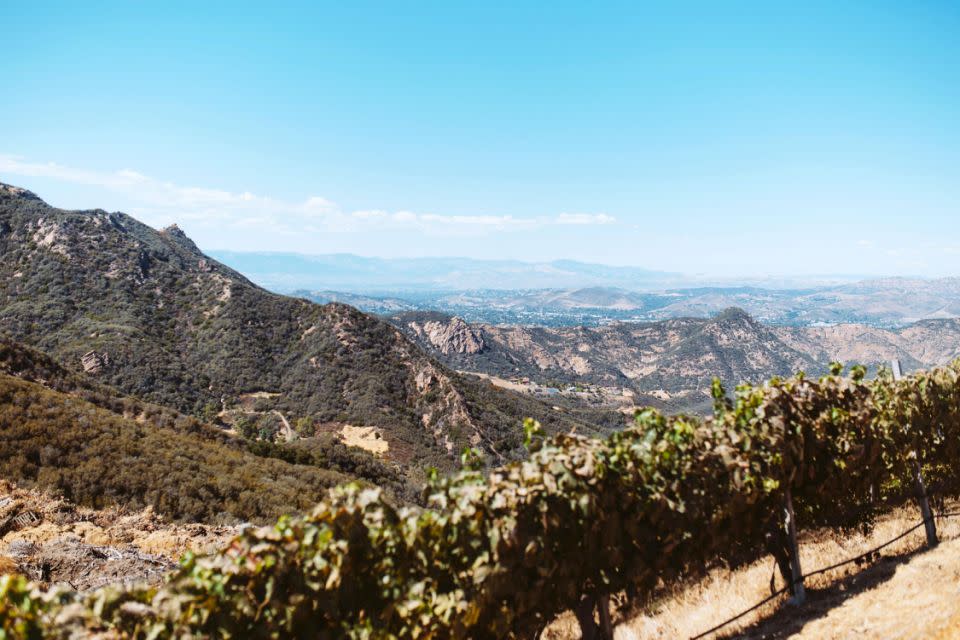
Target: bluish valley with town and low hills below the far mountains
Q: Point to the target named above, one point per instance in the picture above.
(882, 303)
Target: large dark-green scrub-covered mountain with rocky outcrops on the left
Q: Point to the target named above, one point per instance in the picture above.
(172, 326)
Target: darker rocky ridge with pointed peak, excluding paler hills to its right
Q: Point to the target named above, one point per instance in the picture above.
(670, 356)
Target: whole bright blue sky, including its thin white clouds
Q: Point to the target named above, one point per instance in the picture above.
(705, 137)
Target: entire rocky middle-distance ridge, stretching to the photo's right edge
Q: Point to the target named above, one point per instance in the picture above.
(677, 359)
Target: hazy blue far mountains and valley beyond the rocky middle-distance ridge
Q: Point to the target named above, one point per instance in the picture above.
(566, 292)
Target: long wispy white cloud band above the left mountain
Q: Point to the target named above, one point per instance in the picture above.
(159, 201)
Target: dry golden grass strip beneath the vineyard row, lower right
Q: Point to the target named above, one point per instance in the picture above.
(909, 592)
